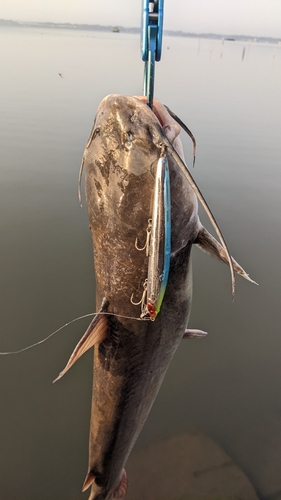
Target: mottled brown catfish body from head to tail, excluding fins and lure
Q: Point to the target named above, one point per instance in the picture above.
(129, 365)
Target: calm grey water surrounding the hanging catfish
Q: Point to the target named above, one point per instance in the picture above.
(227, 385)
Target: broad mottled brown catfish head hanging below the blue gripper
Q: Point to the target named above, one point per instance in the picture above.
(120, 160)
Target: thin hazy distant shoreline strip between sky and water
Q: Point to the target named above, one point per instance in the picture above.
(121, 29)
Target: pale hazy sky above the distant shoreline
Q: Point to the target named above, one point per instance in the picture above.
(250, 17)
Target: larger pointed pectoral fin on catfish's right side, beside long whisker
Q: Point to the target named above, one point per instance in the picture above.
(206, 242)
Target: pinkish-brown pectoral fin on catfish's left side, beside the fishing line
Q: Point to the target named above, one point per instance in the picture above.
(95, 333)
